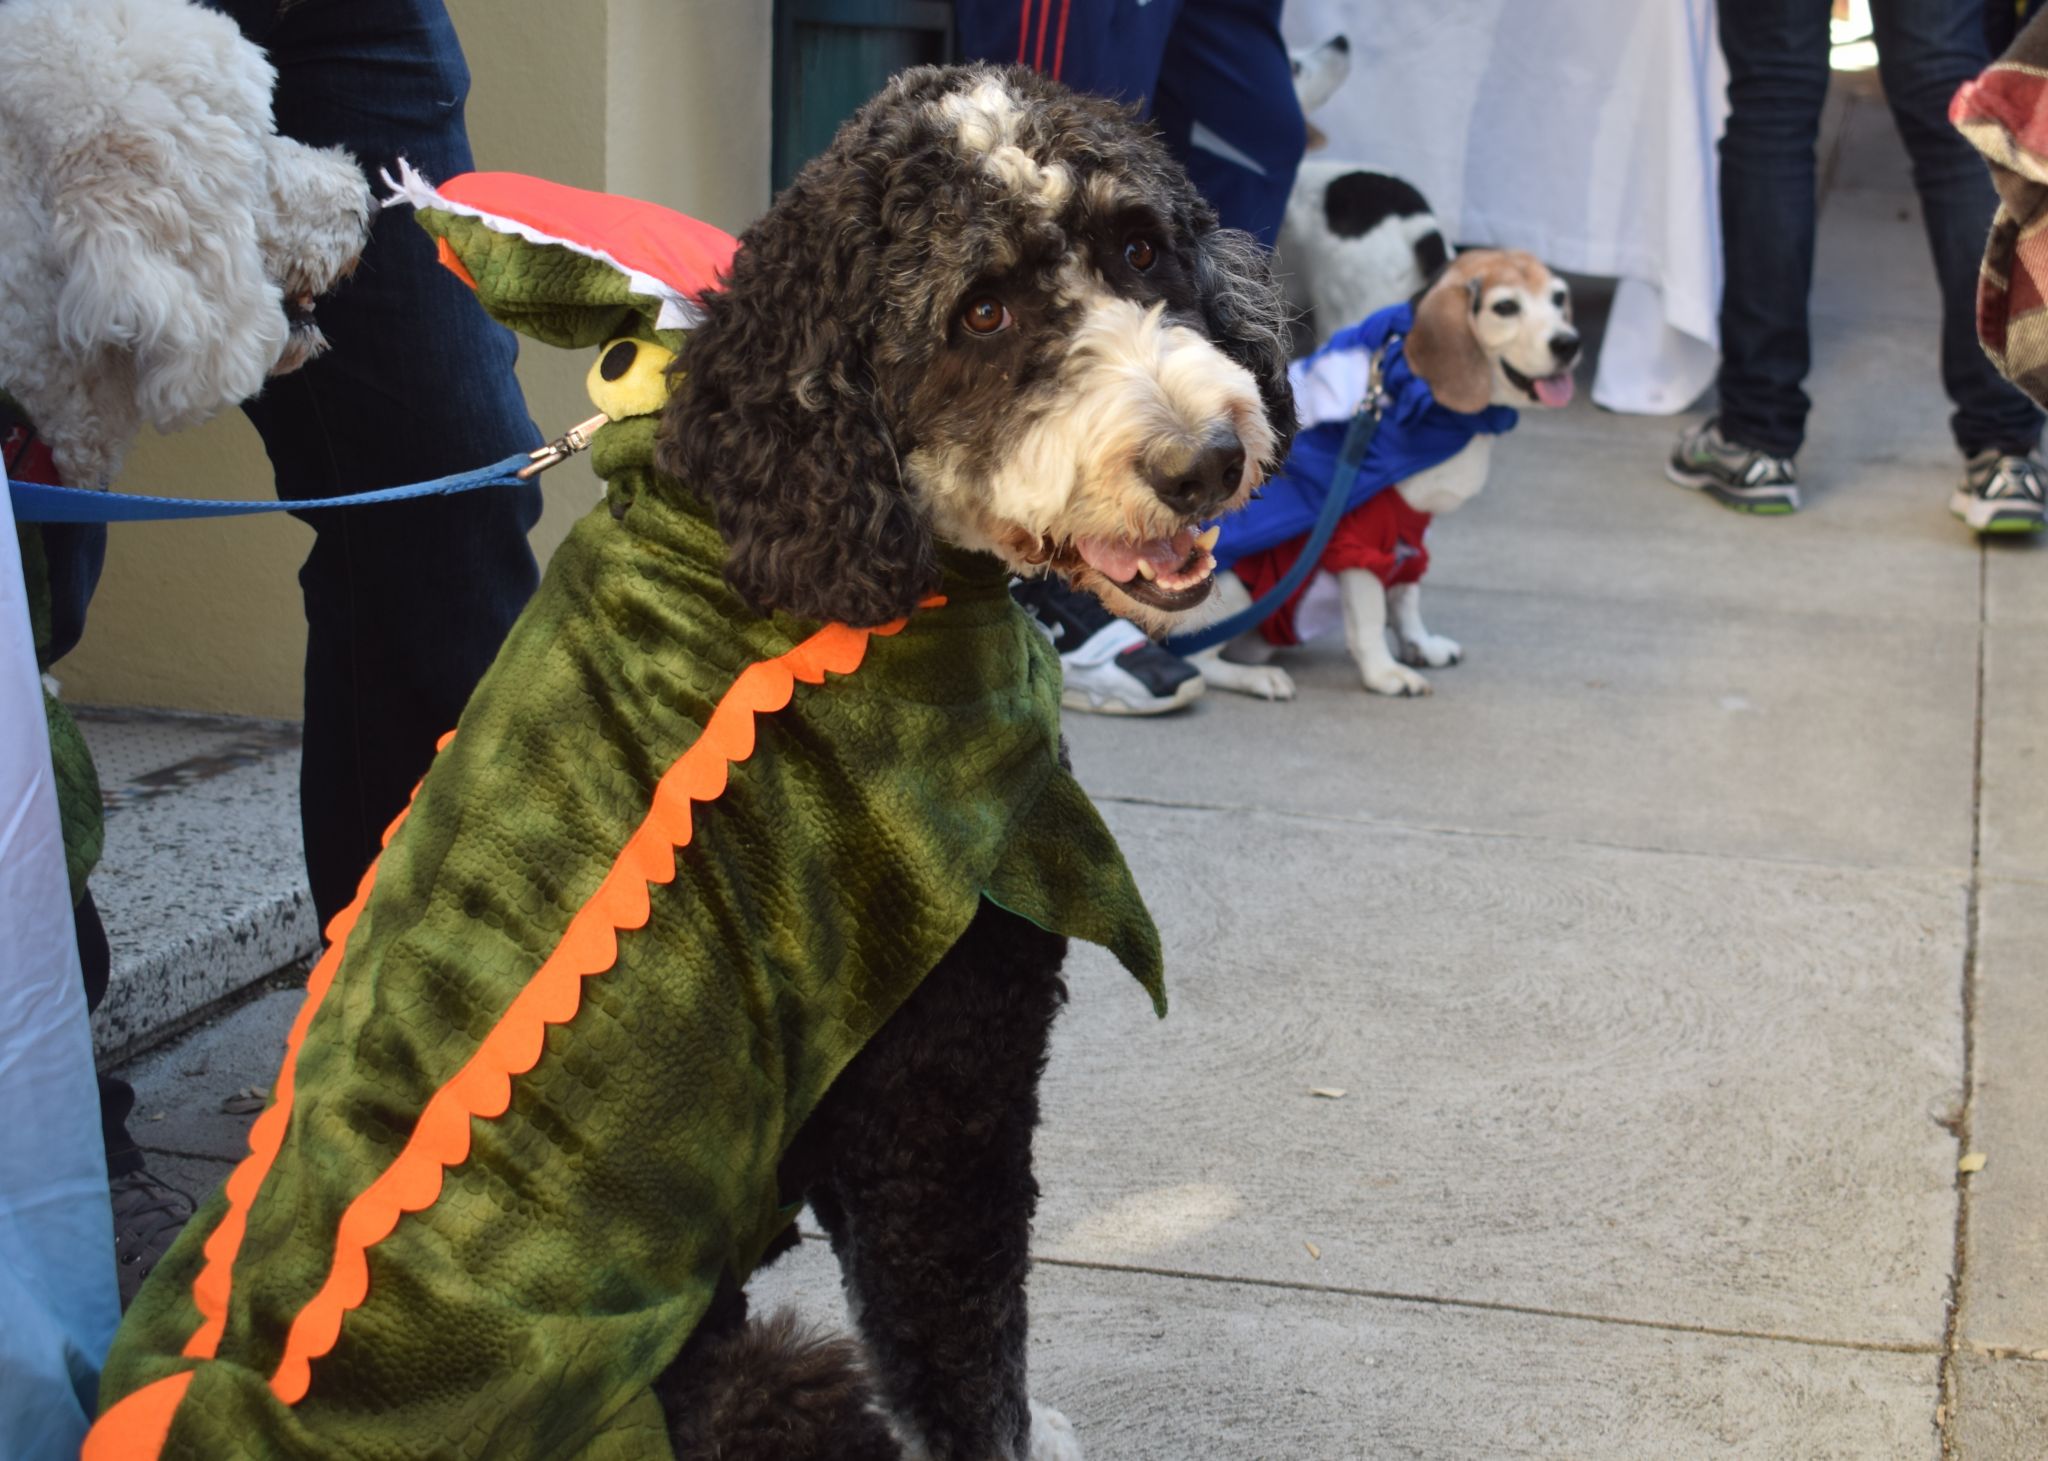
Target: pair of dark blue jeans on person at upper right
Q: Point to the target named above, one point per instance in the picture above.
(1777, 87)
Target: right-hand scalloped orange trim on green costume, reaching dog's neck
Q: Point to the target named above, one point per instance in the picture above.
(482, 1089)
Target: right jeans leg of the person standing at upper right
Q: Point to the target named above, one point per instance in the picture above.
(1926, 50)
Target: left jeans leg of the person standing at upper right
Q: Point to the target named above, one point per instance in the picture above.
(1777, 87)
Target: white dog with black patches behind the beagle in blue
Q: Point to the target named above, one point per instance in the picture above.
(1355, 239)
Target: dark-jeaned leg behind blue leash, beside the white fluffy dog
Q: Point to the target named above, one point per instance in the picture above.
(404, 603)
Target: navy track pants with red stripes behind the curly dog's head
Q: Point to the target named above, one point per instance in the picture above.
(1215, 77)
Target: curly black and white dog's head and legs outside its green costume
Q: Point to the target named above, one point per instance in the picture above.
(994, 315)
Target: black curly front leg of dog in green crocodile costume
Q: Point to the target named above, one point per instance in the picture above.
(929, 1196)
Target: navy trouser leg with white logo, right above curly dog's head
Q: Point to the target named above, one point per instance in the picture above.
(1228, 110)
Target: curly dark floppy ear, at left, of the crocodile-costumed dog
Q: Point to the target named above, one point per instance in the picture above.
(781, 425)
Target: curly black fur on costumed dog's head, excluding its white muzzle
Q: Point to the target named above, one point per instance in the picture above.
(822, 364)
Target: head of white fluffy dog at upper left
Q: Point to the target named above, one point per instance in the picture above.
(161, 245)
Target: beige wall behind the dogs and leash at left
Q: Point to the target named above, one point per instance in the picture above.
(660, 99)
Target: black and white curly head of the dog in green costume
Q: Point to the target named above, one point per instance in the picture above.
(1074, 366)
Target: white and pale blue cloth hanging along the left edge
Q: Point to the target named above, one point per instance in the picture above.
(58, 1304)
